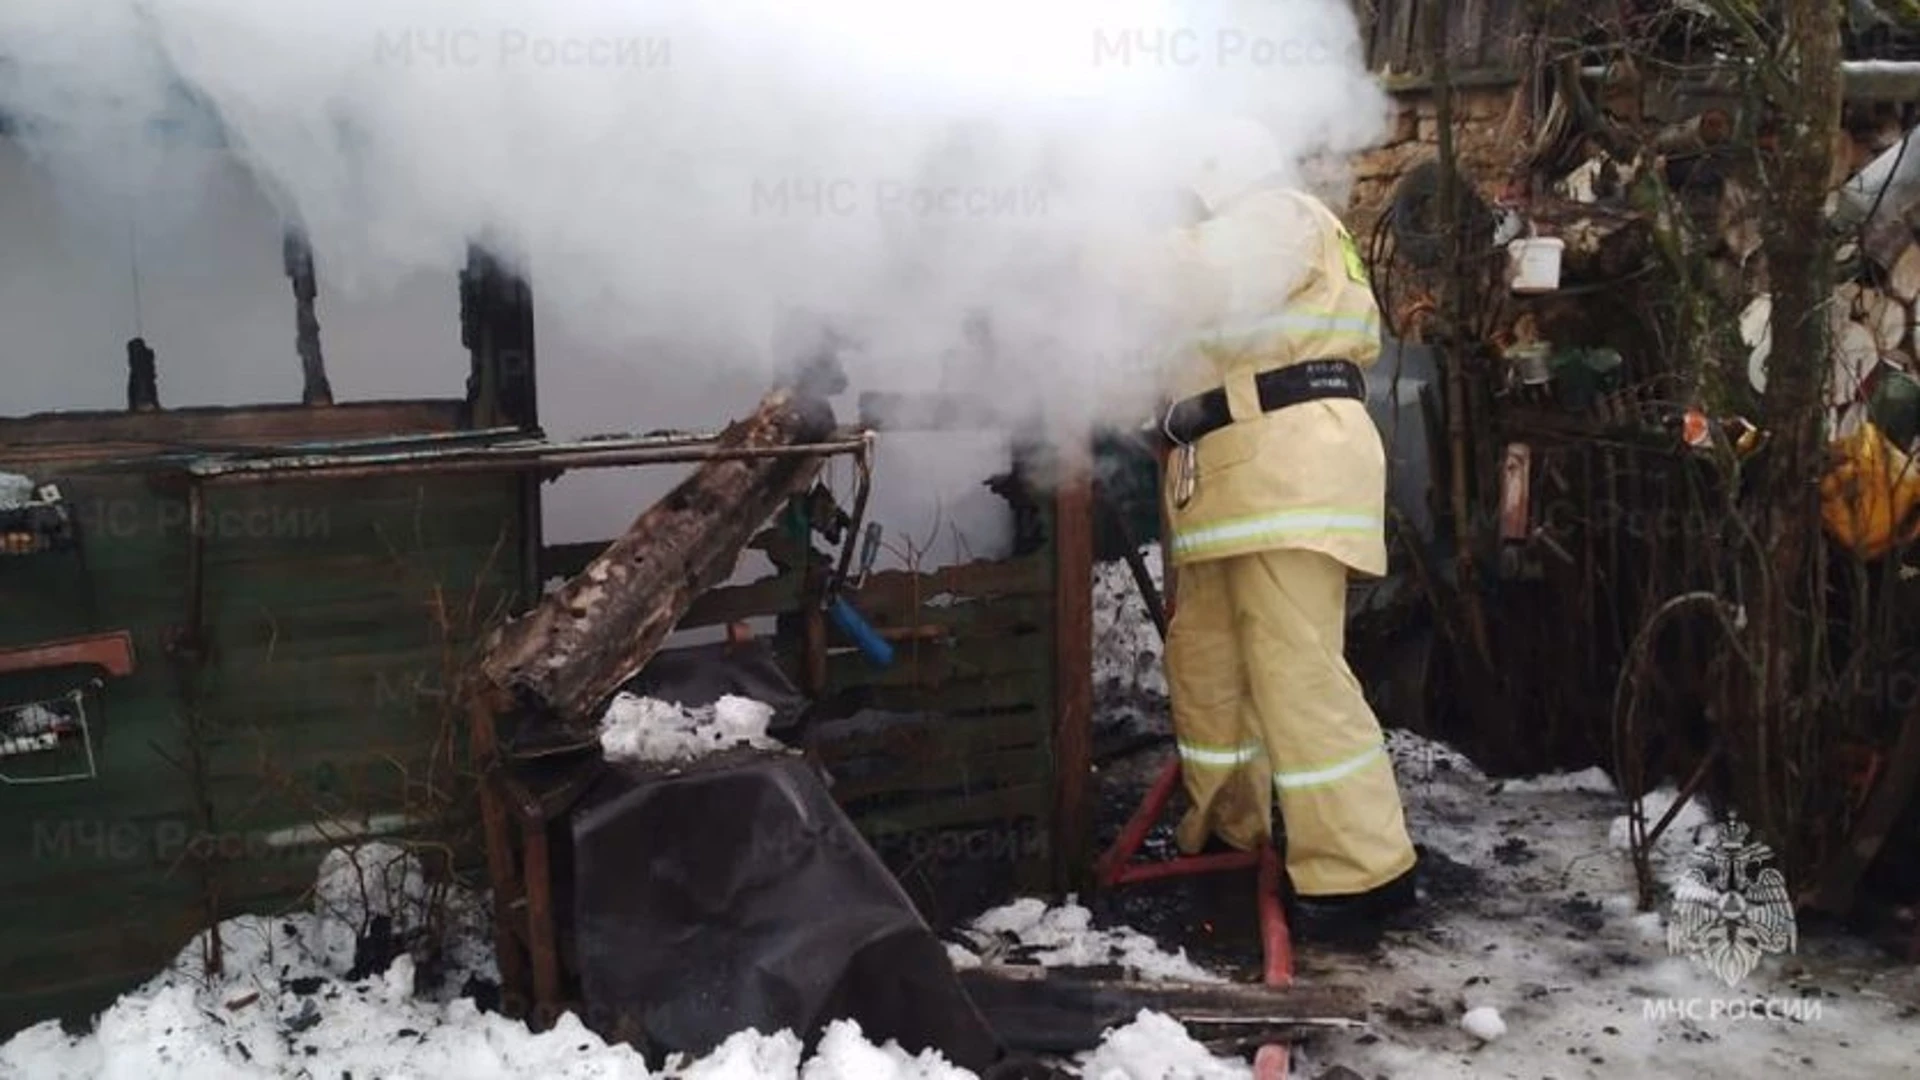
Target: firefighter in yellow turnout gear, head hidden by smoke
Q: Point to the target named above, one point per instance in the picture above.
(1276, 491)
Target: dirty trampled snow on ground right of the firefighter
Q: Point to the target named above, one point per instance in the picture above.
(1531, 920)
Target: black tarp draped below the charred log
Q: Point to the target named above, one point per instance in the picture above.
(736, 895)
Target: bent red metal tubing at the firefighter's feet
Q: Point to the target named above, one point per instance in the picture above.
(1116, 868)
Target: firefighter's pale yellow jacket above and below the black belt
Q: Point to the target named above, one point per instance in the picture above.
(1278, 282)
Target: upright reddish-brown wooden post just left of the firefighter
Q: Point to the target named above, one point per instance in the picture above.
(1072, 666)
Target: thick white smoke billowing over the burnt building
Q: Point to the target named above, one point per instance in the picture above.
(683, 176)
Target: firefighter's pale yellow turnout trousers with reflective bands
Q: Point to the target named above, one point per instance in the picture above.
(1264, 702)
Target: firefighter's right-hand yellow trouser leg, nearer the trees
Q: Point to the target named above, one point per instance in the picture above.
(1339, 802)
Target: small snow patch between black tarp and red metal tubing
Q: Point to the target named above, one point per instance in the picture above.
(1067, 937)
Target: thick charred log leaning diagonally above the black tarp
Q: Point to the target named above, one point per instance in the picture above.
(567, 656)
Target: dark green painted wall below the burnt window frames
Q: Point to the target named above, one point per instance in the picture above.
(333, 614)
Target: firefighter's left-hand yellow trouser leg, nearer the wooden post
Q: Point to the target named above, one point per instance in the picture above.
(1224, 762)
